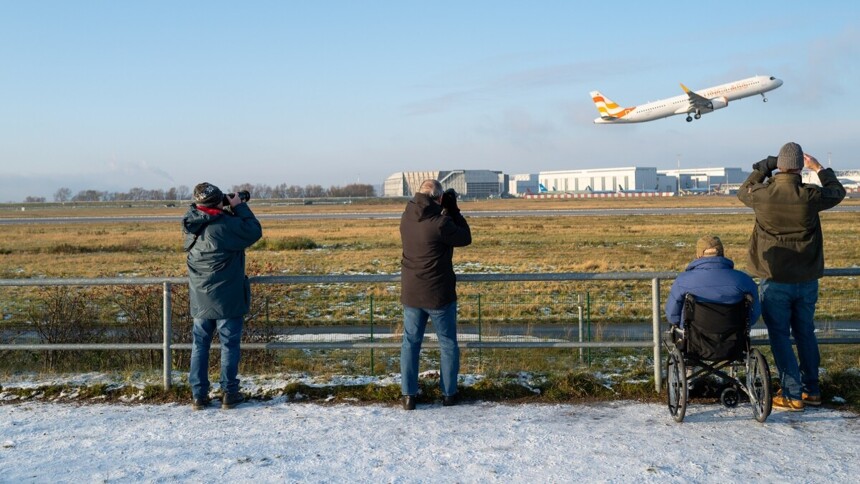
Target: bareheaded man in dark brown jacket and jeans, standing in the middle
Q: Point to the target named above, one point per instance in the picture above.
(430, 228)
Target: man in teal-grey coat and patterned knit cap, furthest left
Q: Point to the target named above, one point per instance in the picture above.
(219, 291)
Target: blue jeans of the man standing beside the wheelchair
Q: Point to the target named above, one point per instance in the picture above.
(788, 310)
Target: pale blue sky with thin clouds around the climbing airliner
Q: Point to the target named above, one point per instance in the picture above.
(112, 95)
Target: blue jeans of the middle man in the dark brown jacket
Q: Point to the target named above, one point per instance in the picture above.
(414, 324)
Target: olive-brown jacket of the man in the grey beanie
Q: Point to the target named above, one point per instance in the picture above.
(787, 244)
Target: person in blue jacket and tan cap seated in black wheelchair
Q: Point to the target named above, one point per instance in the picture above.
(710, 308)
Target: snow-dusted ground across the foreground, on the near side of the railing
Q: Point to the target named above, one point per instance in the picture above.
(278, 441)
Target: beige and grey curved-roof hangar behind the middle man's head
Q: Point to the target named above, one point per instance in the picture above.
(468, 183)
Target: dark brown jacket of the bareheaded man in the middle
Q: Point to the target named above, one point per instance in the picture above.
(429, 237)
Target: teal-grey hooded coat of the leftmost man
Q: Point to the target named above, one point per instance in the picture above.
(218, 287)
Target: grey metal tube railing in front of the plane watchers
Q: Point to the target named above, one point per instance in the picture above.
(168, 345)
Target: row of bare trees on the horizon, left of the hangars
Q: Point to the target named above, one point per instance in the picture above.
(183, 192)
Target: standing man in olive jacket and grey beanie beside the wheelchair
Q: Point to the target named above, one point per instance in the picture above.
(786, 252)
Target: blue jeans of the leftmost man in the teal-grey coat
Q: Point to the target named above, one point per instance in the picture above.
(230, 334)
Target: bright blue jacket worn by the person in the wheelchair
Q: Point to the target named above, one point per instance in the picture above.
(711, 279)
